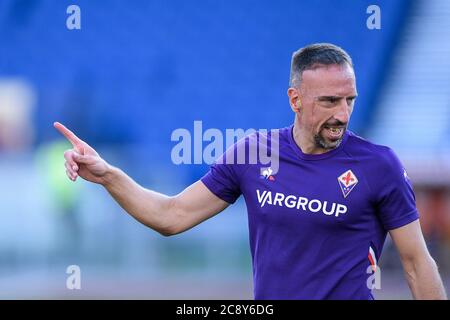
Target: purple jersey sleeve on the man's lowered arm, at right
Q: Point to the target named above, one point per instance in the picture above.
(396, 202)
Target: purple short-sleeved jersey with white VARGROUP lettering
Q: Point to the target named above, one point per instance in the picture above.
(319, 223)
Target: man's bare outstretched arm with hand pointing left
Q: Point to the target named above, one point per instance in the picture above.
(165, 214)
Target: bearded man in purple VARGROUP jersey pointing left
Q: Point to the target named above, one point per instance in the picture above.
(318, 224)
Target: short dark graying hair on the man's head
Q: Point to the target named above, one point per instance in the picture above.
(314, 55)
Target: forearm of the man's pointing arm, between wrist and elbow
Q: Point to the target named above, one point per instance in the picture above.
(151, 208)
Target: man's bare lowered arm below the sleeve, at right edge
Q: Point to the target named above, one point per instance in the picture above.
(420, 268)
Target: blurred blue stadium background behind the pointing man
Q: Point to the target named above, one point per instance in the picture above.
(135, 72)
